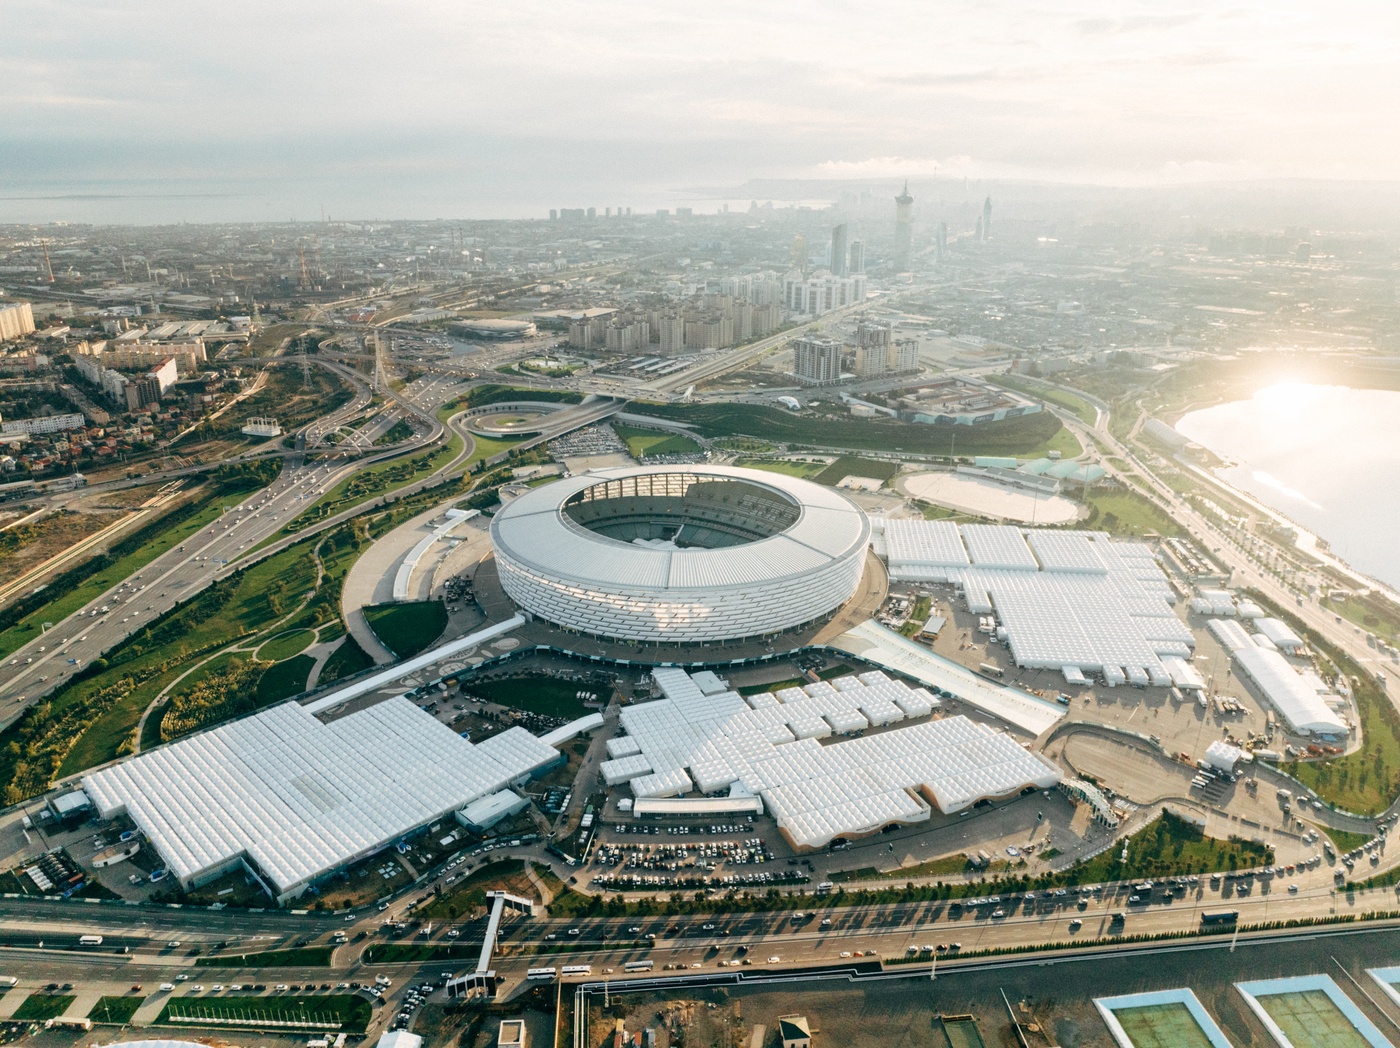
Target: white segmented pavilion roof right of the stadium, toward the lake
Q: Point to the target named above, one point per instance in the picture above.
(1066, 598)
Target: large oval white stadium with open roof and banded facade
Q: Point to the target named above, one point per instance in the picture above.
(681, 553)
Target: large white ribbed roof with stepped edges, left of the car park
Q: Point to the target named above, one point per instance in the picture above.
(300, 798)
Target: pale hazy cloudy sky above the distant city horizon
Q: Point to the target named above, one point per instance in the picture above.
(506, 106)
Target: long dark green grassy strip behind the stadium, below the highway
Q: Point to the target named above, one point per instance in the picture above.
(1027, 436)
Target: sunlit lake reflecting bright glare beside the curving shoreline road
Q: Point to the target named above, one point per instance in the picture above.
(1326, 457)
